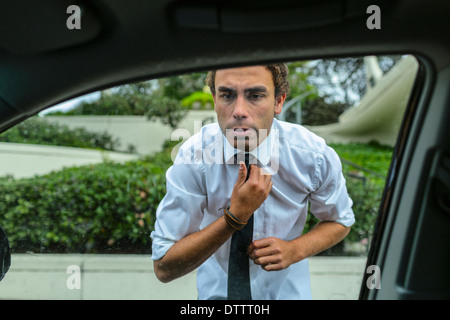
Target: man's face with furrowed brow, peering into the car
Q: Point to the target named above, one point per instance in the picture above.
(245, 104)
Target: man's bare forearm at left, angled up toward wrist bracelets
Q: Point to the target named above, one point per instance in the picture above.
(190, 252)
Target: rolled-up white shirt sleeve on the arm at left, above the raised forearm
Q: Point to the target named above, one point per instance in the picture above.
(180, 213)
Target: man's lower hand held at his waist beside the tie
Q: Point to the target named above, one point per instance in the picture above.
(272, 254)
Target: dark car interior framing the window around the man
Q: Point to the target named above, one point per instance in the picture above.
(51, 54)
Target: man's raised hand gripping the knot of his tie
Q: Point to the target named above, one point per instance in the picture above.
(248, 195)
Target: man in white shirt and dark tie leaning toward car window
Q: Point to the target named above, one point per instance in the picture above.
(208, 201)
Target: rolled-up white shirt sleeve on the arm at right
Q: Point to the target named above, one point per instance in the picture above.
(330, 200)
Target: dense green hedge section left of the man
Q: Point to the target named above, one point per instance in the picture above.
(97, 208)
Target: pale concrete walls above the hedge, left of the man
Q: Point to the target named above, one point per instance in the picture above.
(27, 160)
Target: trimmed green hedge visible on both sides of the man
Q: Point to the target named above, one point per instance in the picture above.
(110, 207)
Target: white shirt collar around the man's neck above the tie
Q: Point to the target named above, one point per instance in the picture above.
(263, 152)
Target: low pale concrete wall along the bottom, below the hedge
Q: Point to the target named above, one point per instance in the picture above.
(44, 276)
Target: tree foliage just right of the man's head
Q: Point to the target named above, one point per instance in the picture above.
(335, 85)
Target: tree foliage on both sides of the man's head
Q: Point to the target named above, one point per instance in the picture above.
(332, 85)
